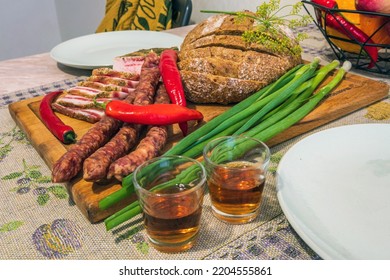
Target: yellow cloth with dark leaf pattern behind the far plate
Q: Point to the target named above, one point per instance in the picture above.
(137, 15)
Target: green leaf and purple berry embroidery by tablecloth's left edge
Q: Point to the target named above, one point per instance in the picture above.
(31, 180)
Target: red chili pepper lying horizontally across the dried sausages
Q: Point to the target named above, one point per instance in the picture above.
(154, 114)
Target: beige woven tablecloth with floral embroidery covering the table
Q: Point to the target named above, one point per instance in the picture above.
(38, 220)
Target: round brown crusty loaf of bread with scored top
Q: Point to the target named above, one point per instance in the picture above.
(218, 66)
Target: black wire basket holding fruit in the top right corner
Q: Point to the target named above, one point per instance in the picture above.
(350, 49)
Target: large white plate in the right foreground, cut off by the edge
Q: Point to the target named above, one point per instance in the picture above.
(334, 188)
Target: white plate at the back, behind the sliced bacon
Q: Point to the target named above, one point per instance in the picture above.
(100, 49)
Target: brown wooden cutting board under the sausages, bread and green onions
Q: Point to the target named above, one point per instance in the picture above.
(353, 93)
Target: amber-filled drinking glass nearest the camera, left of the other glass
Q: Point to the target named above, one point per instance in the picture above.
(170, 190)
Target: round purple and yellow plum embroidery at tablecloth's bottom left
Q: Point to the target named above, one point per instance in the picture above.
(58, 239)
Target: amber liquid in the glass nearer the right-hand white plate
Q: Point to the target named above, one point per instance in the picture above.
(236, 190)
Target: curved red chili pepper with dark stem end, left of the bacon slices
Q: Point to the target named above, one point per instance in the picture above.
(63, 132)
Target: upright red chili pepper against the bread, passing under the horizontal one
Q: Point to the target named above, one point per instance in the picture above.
(172, 81)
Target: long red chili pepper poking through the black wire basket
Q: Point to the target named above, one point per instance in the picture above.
(339, 23)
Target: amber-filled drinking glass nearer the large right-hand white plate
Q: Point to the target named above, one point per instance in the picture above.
(236, 169)
